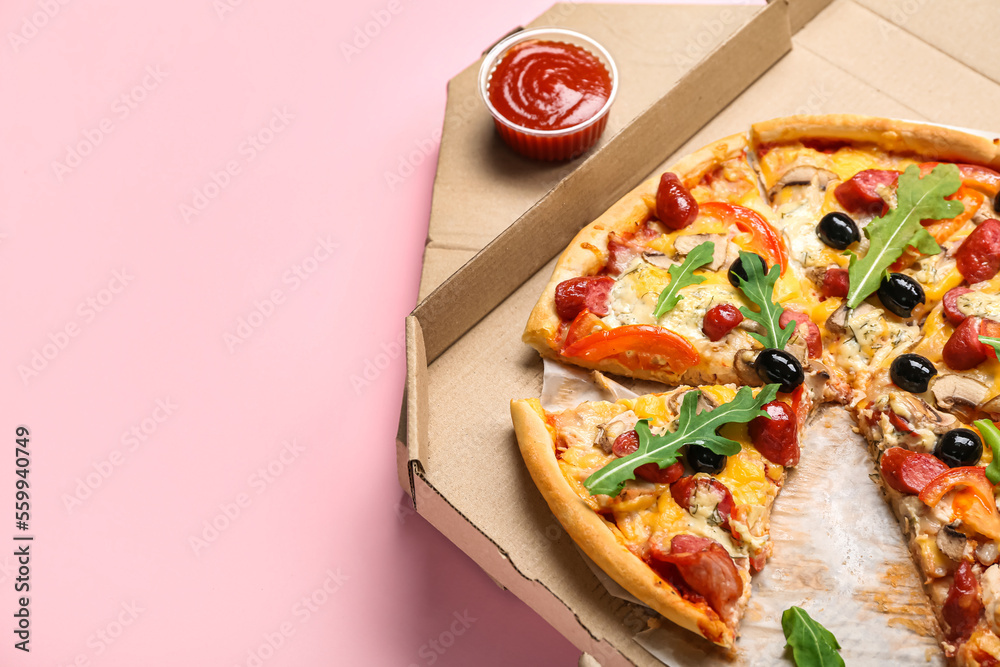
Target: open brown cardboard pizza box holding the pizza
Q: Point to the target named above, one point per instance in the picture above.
(689, 75)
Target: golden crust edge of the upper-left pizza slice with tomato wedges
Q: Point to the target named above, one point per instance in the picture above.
(588, 253)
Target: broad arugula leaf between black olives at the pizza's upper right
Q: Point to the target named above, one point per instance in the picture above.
(916, 199)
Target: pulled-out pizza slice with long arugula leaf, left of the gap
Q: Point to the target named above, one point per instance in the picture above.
(670, 493)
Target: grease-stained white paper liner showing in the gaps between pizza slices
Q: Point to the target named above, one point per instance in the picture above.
(839, 553)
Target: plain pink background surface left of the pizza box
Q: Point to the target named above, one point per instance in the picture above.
(204, 276)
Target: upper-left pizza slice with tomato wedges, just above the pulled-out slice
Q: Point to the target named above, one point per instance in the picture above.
(652, 289)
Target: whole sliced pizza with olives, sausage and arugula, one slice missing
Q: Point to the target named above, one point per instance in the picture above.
(815, 259)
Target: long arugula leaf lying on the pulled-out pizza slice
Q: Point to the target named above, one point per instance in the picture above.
(698, 429)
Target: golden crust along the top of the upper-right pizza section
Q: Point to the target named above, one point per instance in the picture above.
(897, 136)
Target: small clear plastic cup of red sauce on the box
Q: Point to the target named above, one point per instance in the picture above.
(562, 143)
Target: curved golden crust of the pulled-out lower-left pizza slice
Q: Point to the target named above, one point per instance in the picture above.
(592, 534)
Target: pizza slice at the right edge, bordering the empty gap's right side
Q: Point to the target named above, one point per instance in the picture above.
(927, 416)
